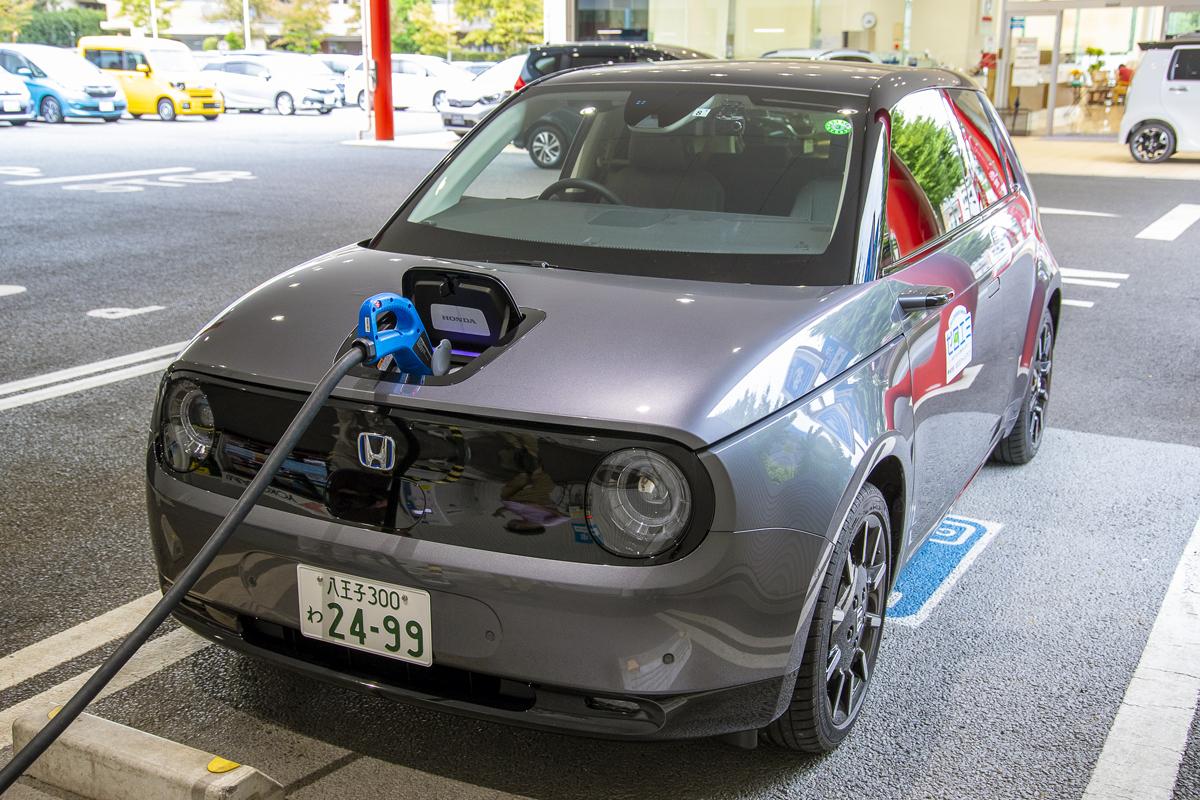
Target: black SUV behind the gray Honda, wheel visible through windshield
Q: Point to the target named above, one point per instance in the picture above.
(549, 137)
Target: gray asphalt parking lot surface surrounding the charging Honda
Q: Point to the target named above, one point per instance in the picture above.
(1007, 689)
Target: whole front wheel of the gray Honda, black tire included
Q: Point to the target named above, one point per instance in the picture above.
(849, 618)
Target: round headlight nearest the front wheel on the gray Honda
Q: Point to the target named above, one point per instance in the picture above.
(639, 503)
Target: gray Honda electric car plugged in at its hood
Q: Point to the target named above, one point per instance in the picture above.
(713, 382)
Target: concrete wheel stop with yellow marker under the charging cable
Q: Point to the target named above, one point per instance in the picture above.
(105, 761)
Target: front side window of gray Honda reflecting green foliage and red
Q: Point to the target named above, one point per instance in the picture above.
(928, 188)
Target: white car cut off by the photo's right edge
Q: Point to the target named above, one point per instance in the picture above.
(1163, 105)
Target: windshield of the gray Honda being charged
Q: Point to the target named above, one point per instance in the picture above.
(673, 181)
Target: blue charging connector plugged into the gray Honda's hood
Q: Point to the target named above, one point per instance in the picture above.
(405, 340)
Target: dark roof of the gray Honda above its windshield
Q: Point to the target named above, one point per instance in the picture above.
(885, 85)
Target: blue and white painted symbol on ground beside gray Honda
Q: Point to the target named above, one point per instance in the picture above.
(937, 567)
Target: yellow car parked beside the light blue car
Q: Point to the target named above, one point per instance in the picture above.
(159, 76)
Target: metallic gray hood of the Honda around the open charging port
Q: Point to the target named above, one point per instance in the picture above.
(694, 362)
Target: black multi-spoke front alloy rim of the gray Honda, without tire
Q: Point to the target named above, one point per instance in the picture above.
(857, 623)
